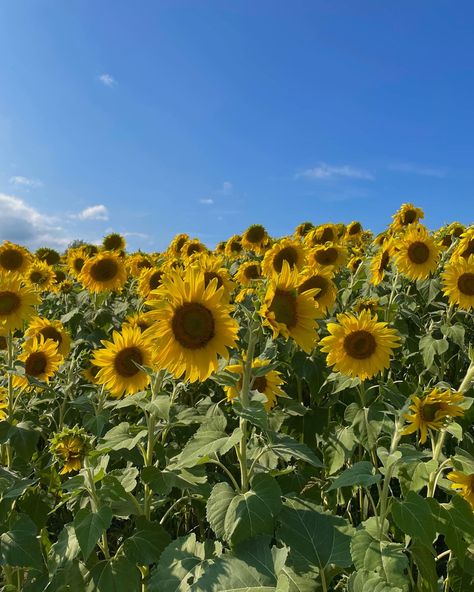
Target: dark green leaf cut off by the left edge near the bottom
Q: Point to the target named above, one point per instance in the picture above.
(20, 545)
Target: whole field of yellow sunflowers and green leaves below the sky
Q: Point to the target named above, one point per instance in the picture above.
(275, 415)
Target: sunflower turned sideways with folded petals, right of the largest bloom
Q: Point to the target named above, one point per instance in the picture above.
(289, 313)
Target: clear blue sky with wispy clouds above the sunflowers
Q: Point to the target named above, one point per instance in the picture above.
(157, 117)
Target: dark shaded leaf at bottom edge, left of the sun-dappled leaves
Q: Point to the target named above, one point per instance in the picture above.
(116, 575)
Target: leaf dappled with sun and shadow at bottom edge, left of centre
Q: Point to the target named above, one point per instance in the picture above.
(182, 563)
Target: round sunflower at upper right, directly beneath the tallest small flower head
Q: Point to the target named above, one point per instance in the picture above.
(417, 253)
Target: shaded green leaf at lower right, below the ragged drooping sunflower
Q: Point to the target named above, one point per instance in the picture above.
(414, 517)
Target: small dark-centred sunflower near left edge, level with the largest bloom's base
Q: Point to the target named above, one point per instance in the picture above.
(41, 359)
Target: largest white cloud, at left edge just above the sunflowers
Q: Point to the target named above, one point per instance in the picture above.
(23, 224)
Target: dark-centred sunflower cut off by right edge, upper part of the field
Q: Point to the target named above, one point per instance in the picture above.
(458, 282)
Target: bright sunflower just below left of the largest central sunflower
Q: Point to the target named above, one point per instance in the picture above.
(118, 361)
